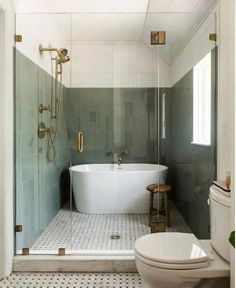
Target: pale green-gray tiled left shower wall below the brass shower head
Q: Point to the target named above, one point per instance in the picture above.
(37, 180)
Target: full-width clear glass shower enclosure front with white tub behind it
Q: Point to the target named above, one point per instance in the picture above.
(133, 103)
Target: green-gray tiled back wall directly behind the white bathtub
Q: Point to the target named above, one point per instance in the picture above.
(113, 118)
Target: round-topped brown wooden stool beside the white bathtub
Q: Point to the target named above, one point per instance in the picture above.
(159, 188)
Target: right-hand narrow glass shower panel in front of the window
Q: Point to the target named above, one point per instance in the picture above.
(191, 168)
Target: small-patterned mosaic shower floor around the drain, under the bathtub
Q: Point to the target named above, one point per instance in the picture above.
(77, 231)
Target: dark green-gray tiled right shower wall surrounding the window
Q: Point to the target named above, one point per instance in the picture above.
(191, 167)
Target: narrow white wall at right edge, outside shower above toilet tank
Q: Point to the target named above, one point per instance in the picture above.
(226, 105)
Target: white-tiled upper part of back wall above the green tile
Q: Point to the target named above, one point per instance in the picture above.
(116, 64)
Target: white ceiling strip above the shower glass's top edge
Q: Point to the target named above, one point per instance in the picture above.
(110, 6)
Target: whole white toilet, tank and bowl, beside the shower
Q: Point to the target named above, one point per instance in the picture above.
(180, 260)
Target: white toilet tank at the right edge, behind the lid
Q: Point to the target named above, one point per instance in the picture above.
(220, 221)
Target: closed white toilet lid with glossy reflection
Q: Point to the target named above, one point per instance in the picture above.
(171, 247)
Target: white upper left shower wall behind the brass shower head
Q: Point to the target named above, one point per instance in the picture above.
(43, 29)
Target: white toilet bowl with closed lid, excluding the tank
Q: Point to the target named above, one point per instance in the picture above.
(181, 261)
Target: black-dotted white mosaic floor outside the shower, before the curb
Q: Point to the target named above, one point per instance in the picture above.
(72, 280)
